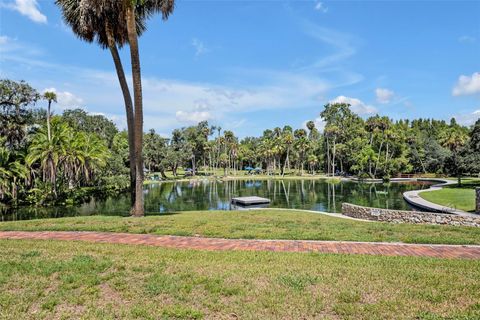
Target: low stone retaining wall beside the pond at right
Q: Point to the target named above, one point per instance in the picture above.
(397, 216)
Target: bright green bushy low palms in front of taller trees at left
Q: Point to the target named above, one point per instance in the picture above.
(54, 159)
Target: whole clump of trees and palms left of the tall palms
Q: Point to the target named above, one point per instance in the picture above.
(43, 157)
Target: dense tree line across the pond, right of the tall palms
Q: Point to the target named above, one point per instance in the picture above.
(377, 147)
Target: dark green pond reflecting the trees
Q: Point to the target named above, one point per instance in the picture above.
(317, 195)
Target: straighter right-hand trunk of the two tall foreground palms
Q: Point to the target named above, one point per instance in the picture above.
(138, 121)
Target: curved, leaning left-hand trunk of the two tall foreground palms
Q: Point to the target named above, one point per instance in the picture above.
(127, 98)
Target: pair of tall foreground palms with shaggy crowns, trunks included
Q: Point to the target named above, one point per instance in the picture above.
(118, 22)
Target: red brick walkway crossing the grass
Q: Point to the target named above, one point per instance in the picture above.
(344, 247)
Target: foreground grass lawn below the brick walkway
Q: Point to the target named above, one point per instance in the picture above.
(73, 280)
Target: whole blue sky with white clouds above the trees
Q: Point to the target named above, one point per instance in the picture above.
(251, 65)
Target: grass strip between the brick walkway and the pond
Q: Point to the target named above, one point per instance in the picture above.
(258, 224)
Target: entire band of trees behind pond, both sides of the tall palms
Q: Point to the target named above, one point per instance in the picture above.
(51, 159)
